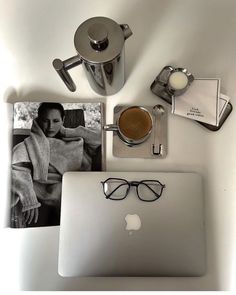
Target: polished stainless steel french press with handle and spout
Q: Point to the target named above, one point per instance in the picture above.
(99, 42)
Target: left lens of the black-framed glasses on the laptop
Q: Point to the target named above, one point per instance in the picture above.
(116, 189)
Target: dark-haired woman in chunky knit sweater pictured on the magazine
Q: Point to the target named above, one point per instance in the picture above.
(39, 162)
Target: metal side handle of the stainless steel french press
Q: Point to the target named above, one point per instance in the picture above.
(62, 68)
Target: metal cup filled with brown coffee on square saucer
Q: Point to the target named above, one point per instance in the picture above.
(133, 126)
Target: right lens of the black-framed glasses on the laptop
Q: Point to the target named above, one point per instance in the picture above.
(149, 190)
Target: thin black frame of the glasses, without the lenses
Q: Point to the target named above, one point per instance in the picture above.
(129, 185)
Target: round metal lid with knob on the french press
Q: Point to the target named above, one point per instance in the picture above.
(99, 40)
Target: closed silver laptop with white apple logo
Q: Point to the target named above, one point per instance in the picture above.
(126, 227)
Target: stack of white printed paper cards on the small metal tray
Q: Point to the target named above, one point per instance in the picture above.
(202, 102)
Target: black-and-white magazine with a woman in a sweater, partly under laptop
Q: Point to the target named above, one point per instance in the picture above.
(50, 139)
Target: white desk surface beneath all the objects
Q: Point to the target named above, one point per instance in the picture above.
(196, 34)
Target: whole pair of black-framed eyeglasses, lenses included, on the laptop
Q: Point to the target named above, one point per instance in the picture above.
(117, 189)
